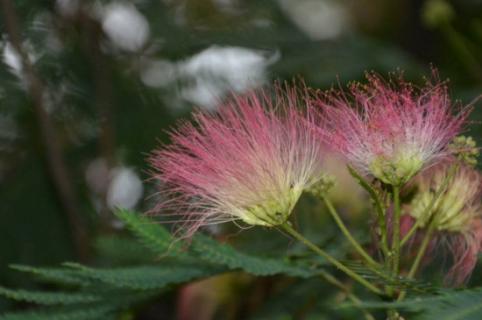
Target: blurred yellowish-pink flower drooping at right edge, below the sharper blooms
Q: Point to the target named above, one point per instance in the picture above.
(456, 216)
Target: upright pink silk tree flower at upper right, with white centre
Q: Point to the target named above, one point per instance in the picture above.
(390, 130)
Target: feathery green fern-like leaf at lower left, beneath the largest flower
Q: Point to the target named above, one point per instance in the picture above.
(96, 292)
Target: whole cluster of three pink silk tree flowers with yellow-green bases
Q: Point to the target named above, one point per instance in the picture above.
(251, 161)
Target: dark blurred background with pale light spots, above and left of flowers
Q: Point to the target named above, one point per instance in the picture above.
(88, 89)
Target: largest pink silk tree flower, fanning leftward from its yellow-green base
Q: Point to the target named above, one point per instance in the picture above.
(248, 162)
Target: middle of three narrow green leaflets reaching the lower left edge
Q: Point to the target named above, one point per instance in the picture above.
(47, 298)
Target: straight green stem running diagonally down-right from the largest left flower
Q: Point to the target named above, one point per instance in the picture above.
(295, 234)
